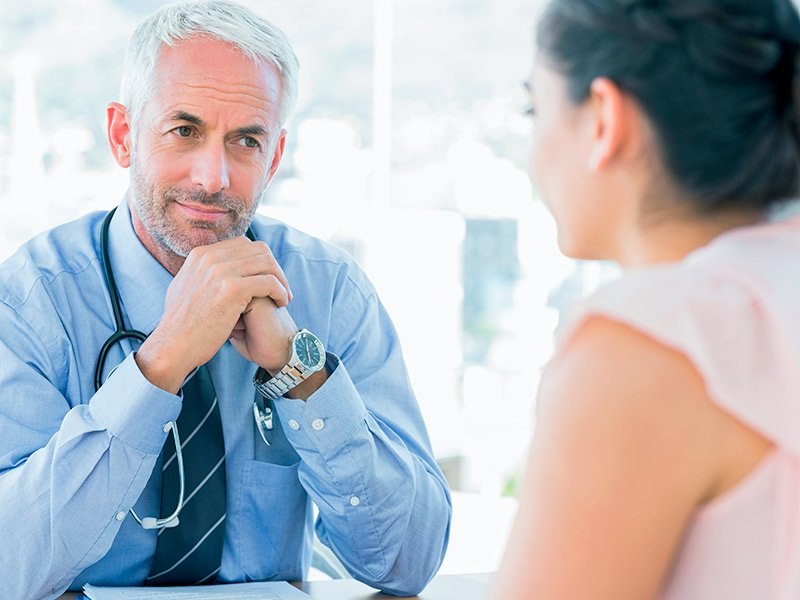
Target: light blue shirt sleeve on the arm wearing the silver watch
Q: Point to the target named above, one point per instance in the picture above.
(384, 505)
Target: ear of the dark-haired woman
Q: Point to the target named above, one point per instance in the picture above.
(611, 123)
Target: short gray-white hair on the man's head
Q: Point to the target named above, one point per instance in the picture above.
(250, 34)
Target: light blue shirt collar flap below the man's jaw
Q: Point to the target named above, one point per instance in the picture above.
(141, 280)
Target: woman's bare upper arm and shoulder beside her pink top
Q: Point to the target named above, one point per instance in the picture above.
(627, 445)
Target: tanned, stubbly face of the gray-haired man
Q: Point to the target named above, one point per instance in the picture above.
(205, 146)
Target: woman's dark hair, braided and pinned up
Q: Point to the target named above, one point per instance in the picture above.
(716, 78)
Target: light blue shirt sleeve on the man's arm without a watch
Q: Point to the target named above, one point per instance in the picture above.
(69, 472)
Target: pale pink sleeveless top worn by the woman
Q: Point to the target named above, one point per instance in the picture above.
(733, 308)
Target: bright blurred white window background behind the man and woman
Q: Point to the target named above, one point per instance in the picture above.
(408, 148)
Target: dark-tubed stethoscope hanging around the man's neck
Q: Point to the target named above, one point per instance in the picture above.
(263, 415)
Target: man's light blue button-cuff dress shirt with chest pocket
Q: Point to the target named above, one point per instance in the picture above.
(73, 462)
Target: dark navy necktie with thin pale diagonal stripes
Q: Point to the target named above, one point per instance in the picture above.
(190, 553)
